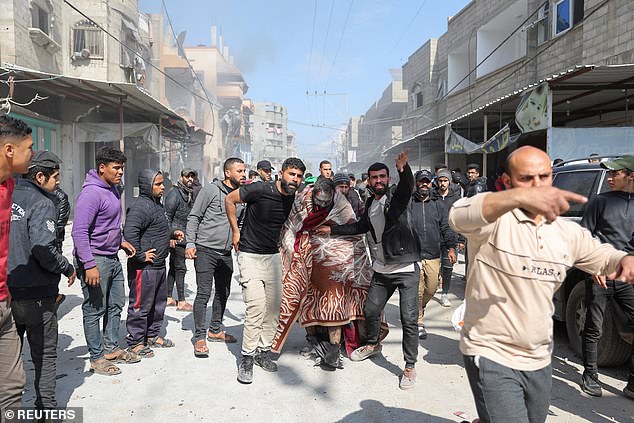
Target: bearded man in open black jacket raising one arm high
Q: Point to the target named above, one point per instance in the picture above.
(395, 251)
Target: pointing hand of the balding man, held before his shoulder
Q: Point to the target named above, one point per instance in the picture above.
(549, 202)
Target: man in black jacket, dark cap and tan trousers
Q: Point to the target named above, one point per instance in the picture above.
(432, 228)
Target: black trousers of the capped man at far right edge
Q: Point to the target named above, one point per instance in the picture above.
(596, 301)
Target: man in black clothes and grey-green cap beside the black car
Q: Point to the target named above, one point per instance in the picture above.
(610, 217)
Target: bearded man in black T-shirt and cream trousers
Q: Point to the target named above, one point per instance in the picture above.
(268, 206)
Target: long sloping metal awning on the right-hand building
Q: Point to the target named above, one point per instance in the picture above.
(579, 92)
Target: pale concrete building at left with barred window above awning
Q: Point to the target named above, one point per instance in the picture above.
(81, 89)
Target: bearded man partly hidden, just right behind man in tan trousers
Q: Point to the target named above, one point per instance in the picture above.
(446, 196)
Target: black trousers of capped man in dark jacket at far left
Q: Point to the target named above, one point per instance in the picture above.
(38, 319)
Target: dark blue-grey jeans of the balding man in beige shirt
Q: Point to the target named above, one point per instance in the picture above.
(505, 395)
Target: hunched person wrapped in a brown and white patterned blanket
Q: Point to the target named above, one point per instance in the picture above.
(326, 279)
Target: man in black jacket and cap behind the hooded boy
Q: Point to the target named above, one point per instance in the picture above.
(178, 204)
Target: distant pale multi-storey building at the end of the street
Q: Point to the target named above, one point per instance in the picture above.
(269, 134)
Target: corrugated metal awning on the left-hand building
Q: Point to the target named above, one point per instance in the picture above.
(136, 100)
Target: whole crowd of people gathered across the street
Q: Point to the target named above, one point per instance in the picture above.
(326, 252)
